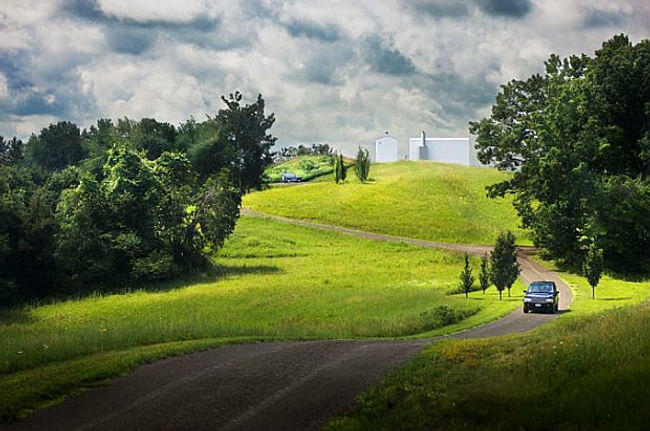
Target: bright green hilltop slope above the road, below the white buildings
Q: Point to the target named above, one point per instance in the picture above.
(425, 200)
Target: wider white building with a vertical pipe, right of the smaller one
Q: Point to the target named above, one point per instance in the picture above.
(445, 150)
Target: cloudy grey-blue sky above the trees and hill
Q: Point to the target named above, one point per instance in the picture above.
(340, 72)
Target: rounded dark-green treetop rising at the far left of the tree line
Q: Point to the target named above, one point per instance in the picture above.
(57, 146)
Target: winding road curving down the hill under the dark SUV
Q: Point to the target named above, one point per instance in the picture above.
(265, 386)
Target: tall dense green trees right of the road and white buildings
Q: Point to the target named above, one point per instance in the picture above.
(578, 141)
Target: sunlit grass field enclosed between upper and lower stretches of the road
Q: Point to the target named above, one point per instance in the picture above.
(275, 281)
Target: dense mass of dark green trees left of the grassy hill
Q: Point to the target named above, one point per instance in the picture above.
(124, 202)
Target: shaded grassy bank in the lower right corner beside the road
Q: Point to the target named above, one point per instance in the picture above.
(573, 374)
